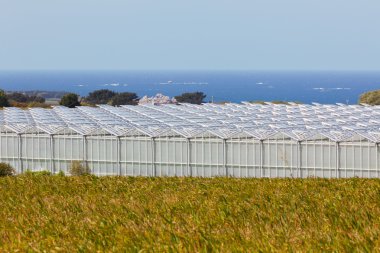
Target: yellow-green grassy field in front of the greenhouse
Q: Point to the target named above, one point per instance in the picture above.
(87, 214)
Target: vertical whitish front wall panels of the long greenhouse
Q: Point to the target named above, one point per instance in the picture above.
(175, 156)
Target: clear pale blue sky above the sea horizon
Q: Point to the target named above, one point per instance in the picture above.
(193, 35)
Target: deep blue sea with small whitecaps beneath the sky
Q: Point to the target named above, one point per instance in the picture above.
(233, 86)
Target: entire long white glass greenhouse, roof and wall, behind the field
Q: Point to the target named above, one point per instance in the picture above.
(209, 140)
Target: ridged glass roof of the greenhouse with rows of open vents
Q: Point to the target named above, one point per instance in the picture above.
(299, 122)
